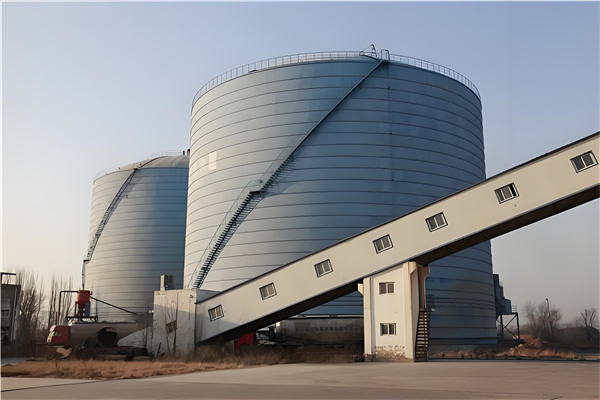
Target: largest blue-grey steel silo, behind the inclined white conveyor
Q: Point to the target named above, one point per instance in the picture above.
(341, 142)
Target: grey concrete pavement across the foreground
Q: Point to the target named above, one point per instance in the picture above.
(439, 379)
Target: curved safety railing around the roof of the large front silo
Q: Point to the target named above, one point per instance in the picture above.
(330, 56)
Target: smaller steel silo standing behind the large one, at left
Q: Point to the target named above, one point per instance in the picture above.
(144, 236)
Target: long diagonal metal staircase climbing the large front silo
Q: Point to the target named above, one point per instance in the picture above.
(252, 197)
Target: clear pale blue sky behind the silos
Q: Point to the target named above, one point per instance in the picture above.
(91, 86)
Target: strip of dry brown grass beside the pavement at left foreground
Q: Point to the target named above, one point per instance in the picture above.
(95, 369)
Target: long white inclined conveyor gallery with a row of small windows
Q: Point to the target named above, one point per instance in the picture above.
(550, 184)
